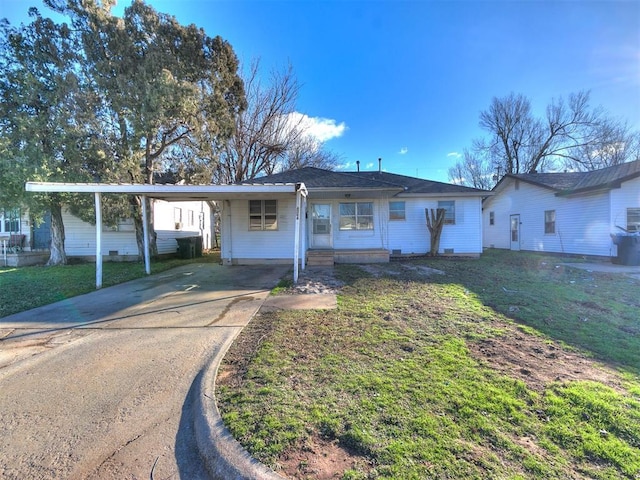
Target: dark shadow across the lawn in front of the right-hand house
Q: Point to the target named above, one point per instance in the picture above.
(596, 313)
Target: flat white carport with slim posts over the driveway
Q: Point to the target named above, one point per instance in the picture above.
(180, 193)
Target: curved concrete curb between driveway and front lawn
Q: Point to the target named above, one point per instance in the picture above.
(223, 456)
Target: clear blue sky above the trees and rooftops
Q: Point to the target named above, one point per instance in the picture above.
(406, 81)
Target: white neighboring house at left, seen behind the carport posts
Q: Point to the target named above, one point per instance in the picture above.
(28, 243)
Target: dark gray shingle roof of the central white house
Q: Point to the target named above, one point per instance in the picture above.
(317, 178)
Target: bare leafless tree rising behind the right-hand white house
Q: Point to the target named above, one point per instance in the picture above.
(571, 134)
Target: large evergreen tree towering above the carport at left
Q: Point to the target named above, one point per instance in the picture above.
(110, 99)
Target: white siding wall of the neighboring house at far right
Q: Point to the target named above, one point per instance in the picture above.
(582, 222)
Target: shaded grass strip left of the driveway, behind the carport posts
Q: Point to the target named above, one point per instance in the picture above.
(29, 287)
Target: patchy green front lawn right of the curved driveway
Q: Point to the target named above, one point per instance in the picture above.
(390, 376)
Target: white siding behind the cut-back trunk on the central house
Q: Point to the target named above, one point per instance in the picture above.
(411, 236)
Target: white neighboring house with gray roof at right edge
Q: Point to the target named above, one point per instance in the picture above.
(573, 213)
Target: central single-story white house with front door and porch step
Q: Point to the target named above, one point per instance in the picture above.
(350, 217)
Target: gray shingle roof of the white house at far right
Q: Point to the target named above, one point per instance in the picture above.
(576, 182)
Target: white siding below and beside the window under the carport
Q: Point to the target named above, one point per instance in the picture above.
(239, 245)
